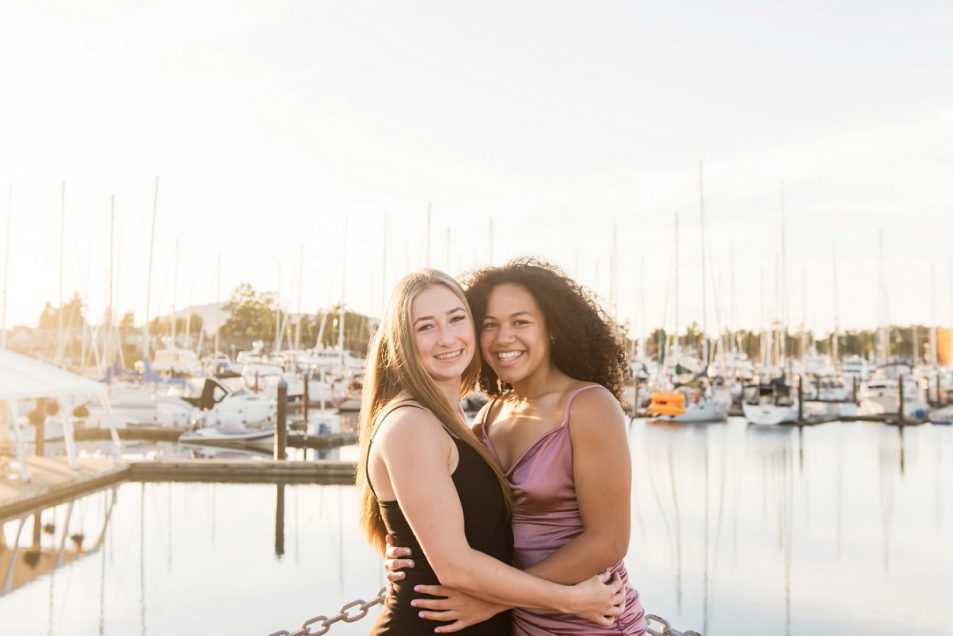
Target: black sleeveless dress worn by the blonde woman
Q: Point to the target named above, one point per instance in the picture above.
(487, 528)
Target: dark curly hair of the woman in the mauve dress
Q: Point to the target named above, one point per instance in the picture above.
(587, 343)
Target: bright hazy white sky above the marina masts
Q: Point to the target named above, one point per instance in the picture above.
(269, 124)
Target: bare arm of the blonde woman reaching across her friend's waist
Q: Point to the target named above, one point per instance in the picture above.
(414, 450)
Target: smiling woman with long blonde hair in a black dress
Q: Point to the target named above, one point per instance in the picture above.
(427, 480)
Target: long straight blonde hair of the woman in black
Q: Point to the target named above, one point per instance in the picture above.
(393, 366)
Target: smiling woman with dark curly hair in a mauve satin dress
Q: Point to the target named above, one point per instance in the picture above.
(553, 367)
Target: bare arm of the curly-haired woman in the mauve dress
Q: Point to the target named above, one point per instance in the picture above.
(602, 471)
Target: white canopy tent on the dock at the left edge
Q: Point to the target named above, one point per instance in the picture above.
(22, 377)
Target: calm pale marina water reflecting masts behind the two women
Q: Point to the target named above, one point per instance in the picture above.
(840, 529)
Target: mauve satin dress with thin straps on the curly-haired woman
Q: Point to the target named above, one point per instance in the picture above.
(545, 517)
